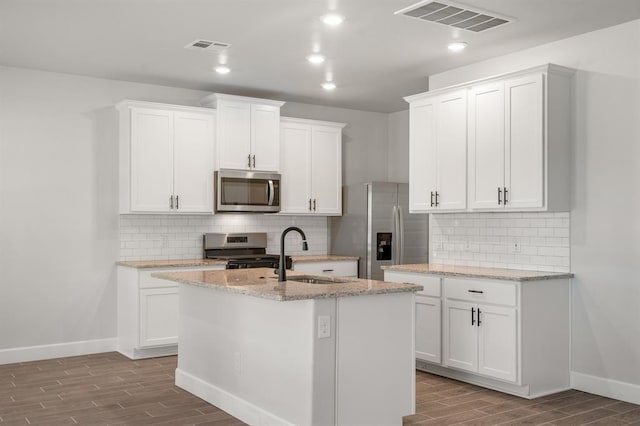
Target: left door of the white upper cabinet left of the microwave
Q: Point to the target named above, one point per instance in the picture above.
(151, 160)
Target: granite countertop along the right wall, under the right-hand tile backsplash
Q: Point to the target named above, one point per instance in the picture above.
(478, 272)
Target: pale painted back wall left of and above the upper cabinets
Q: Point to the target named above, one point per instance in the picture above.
(58, 197)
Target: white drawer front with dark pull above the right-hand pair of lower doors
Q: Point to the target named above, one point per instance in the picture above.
(500, 293)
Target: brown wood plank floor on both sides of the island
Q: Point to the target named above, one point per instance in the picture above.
(109, 389)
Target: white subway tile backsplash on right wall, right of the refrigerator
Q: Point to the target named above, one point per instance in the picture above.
(531, 241)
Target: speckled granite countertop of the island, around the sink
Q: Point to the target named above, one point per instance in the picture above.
(262, 282)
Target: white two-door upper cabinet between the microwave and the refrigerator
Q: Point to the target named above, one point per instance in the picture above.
(311, 167)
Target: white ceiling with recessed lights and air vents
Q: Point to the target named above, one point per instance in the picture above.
(374, 57)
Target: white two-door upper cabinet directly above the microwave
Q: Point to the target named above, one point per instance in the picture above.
(248, 132)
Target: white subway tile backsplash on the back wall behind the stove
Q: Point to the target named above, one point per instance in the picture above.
(160, 237)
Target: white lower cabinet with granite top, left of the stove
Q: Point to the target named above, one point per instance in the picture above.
(148, 312)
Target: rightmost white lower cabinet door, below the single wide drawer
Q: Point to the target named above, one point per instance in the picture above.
(497, 342)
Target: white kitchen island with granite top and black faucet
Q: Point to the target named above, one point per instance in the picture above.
(291, 352)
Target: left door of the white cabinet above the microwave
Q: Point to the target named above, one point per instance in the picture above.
(234, 135)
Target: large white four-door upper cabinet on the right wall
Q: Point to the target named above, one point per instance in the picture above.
(518, 136)
